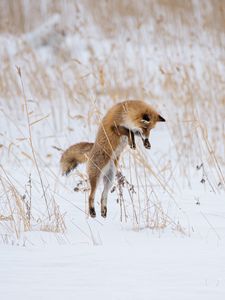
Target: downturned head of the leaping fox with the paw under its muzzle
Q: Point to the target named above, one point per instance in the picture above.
(141, 118)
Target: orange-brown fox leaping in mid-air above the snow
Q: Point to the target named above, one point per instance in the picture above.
(119, 127)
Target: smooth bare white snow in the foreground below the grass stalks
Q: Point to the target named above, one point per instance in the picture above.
(137, 268)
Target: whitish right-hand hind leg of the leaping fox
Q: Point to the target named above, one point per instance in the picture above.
(108, 182)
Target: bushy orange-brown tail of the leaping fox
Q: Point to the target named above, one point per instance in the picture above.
(74, 155)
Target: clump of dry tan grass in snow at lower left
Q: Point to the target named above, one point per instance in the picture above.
(18, 215)
